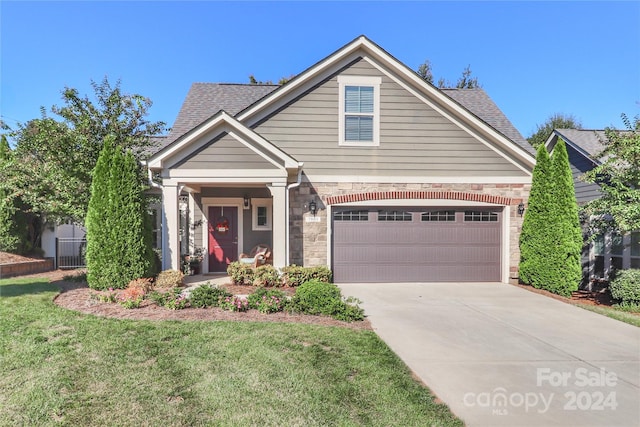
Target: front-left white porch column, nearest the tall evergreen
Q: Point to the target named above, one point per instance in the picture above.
(170, 228)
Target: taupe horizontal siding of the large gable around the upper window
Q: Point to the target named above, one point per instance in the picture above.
(415, 140)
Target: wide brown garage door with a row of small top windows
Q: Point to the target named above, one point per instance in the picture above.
(416, 244)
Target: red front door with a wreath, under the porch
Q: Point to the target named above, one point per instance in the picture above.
(223, 237)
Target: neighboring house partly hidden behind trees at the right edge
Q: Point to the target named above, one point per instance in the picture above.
(611, 251)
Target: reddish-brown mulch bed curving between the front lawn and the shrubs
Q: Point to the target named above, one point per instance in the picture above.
(77, 296)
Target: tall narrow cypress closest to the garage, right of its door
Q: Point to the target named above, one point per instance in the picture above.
(536, 238)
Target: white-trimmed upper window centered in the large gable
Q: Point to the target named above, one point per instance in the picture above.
(359, 110)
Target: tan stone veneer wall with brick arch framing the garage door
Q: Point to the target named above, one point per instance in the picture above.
(308, 240)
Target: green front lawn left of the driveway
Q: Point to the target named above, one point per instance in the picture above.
(62, 367)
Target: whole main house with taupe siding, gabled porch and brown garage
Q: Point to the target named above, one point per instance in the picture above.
(356, 163)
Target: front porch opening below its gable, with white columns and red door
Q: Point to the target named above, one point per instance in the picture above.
(223, 221)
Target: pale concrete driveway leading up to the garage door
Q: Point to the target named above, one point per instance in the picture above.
(499, 355)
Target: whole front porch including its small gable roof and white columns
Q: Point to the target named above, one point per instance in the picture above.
(234, 184)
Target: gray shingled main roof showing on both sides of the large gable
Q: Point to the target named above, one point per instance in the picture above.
(206, 99)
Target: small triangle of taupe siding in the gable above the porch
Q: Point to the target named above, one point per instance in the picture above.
(225, 152)
